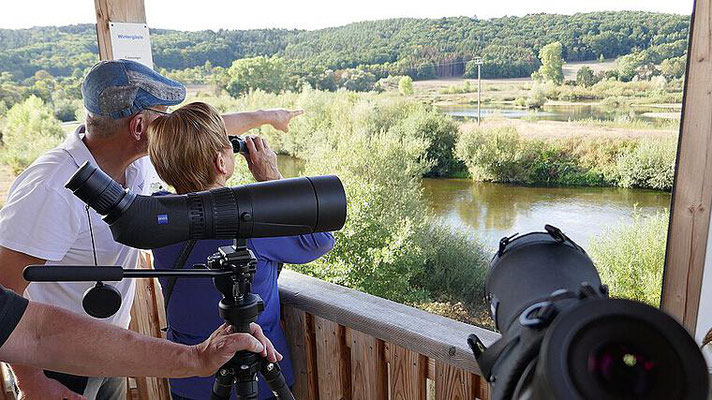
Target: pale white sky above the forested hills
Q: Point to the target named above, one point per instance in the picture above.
(308, 14)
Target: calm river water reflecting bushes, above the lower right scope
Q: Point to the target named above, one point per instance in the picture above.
(492, 211)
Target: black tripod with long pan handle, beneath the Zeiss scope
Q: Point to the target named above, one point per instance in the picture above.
(232, 269)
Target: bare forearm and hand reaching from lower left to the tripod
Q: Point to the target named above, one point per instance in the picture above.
(59, 340)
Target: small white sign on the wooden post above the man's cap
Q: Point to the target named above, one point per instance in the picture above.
(131, 41)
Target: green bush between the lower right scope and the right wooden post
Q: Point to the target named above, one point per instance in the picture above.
(630, 257)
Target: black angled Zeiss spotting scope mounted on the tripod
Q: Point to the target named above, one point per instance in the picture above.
(285, 207)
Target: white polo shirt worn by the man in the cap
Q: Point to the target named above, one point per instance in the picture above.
(43, 219)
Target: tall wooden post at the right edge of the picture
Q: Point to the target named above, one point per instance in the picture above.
(692, 190)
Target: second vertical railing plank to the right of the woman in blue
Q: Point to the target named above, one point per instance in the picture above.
(332, 365)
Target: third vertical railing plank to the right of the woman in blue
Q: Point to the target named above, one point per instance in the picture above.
(369, 371)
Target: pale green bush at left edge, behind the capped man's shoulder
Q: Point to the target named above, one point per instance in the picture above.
(29, 131)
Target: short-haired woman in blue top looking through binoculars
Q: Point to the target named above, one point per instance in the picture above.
(191, 152)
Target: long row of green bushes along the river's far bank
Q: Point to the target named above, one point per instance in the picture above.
(518, 152)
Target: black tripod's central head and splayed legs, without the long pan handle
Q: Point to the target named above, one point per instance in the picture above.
(240, 307)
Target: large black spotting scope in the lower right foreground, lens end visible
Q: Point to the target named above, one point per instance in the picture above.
(563, 338)
